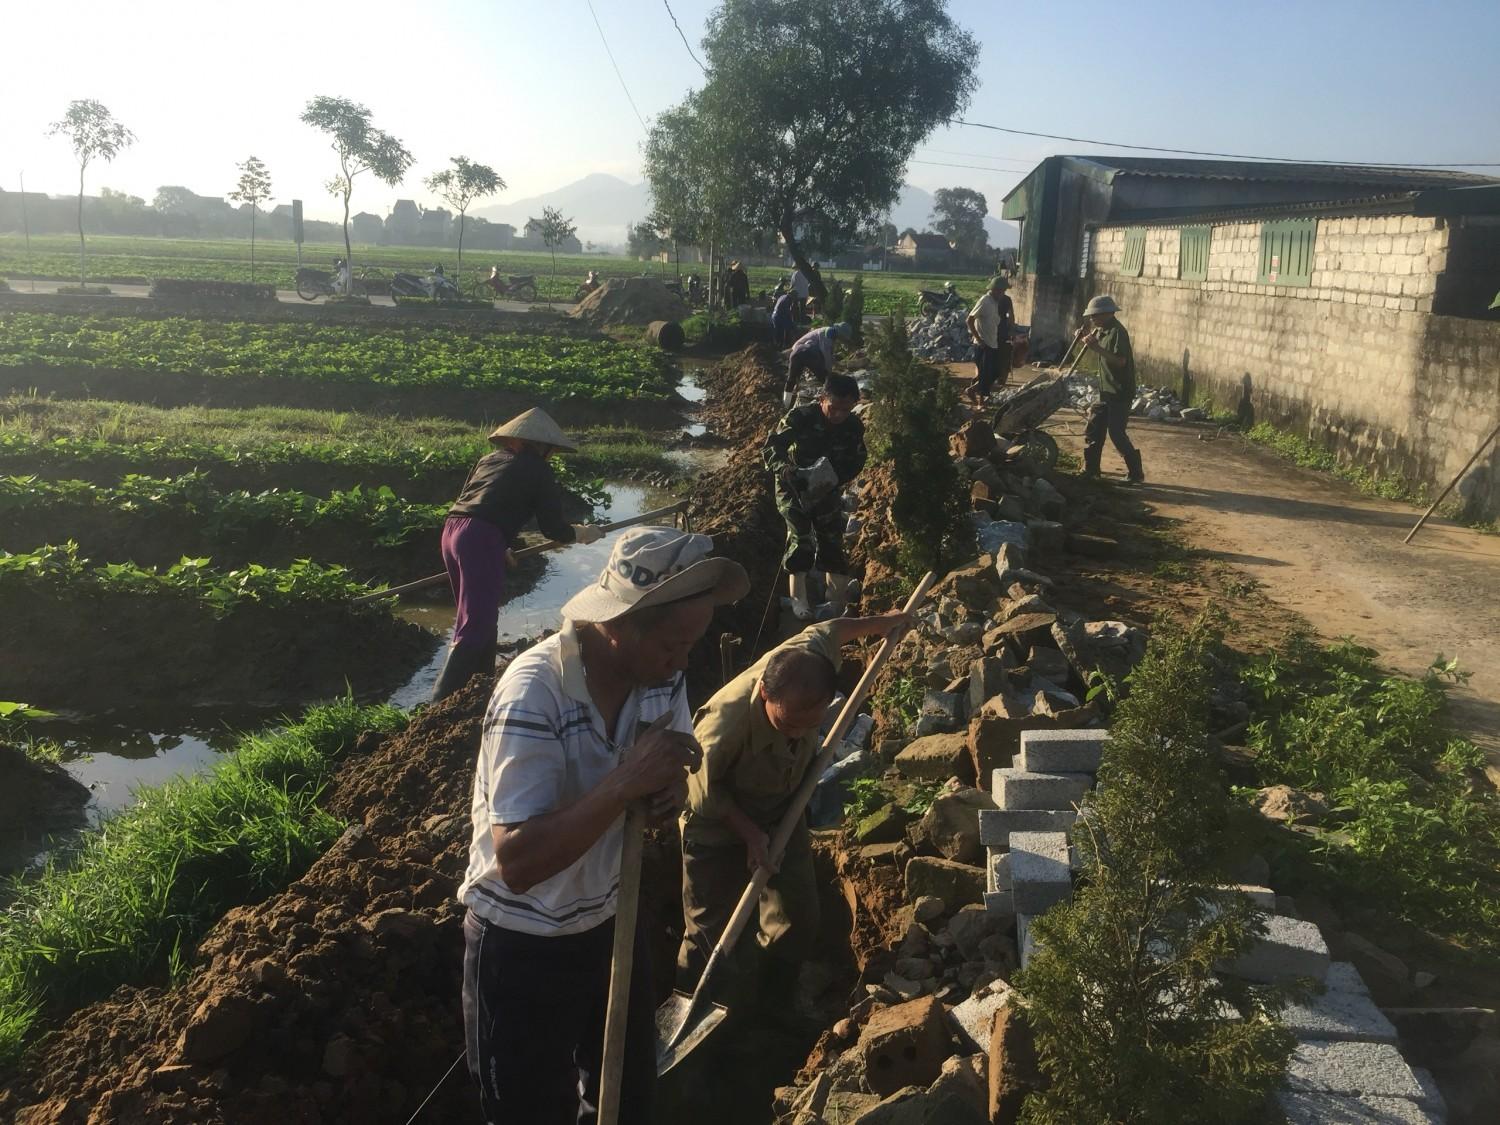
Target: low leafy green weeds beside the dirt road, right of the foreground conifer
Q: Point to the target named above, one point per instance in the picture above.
(1411, 832)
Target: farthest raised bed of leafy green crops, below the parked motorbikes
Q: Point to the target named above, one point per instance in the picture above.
(551, 367)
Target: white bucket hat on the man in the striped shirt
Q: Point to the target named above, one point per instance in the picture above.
(656, 566)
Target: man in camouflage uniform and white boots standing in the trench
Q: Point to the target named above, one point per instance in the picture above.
(815, 524)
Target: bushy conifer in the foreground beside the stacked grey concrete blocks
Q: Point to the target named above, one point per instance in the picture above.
(1123, 994)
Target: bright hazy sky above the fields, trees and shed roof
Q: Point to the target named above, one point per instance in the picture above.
(529, 89)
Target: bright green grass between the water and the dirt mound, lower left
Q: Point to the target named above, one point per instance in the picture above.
(128, 902)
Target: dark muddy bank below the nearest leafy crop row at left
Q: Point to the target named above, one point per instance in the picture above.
(160, 653)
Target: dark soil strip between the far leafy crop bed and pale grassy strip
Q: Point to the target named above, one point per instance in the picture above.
(178, 389)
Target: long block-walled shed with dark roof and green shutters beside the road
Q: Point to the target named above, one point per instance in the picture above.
(1346, 304)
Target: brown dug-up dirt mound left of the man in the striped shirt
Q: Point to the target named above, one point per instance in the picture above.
(335, 1001)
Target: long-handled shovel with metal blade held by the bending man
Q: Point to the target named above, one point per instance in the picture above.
(683, 1022)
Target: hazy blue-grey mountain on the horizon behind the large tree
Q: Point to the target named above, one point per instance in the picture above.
(604, 205)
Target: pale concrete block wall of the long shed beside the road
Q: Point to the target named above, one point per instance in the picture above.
(1357, 361)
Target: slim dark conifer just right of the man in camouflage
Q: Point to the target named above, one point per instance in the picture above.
(908, 428)
